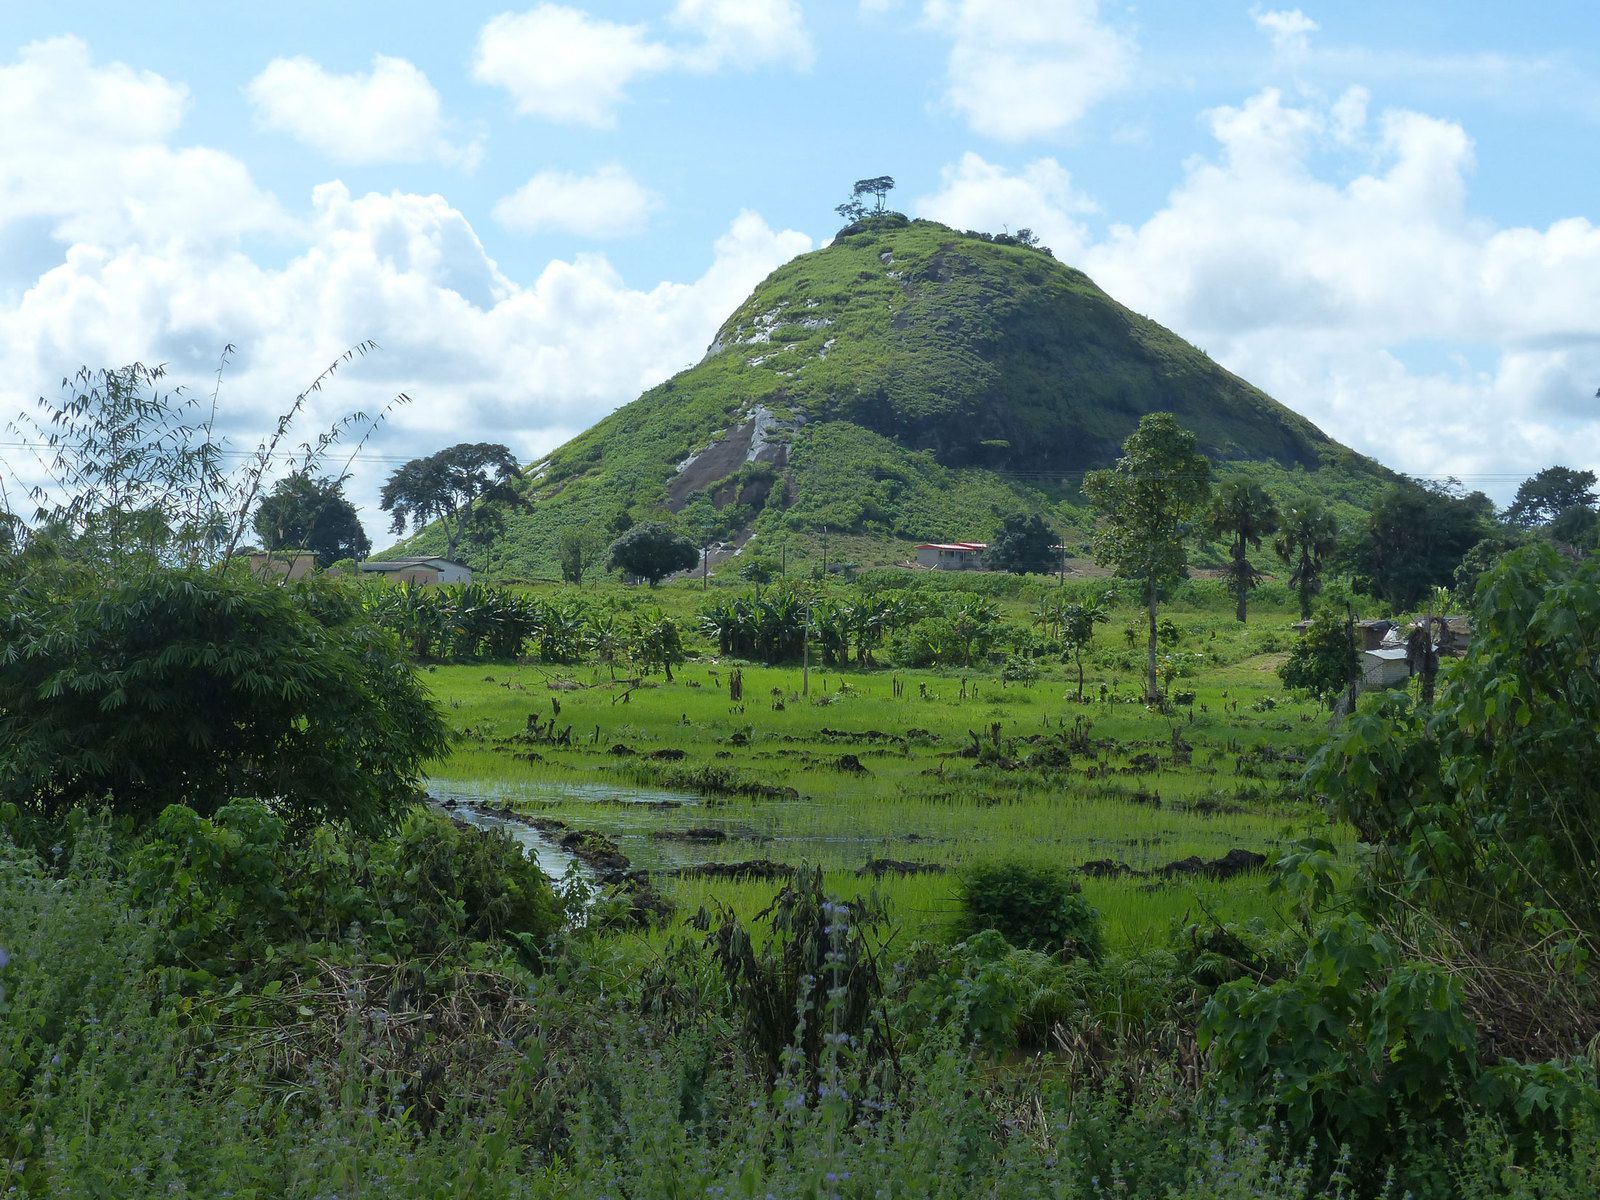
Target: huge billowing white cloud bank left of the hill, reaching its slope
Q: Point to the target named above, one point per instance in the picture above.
(164, 273)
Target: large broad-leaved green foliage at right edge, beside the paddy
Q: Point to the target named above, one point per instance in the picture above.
(1487, 807)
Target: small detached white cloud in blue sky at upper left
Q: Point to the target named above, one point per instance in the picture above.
(388, 116)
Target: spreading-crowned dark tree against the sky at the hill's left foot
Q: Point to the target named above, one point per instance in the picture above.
(455, 487)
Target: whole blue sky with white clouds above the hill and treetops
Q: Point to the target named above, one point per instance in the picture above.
(1382, 214)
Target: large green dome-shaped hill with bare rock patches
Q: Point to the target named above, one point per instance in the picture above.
(906, 383)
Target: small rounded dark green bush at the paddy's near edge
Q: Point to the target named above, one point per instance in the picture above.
(1033, 906)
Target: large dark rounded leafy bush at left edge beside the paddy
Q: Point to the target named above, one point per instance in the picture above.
(196, 687)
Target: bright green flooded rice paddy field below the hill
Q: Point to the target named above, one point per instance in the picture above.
(894, 780)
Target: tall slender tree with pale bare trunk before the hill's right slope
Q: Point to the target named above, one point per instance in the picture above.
(1146, 505)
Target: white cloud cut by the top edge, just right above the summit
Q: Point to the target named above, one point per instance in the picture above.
(1030, 68)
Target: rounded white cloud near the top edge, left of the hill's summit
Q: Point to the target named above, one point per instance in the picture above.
(562, 65)
